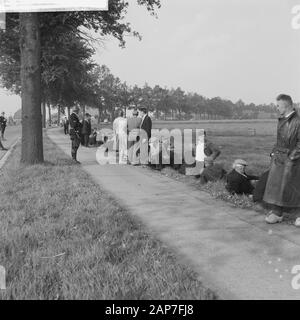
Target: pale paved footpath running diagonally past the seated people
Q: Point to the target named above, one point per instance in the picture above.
(234, 252)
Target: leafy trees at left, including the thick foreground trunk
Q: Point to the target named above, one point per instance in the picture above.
(47, 58)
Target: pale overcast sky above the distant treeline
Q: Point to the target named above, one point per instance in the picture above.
(228, 48)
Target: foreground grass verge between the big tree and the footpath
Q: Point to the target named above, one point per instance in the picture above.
(62, 237)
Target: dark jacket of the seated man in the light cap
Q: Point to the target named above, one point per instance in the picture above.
(239, 184)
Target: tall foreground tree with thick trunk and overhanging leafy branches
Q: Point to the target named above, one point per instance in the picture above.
(110, 23)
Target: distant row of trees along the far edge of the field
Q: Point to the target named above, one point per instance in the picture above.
(107, 93)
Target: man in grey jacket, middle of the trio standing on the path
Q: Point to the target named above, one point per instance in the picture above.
(133, 125)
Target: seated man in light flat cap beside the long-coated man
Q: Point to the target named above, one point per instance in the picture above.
(238, 181)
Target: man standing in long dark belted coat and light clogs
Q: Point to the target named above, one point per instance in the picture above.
(283, 183)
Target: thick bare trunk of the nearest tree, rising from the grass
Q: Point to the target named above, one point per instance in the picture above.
(30, 47)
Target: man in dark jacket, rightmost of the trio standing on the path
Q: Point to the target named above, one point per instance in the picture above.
(145, 135)
